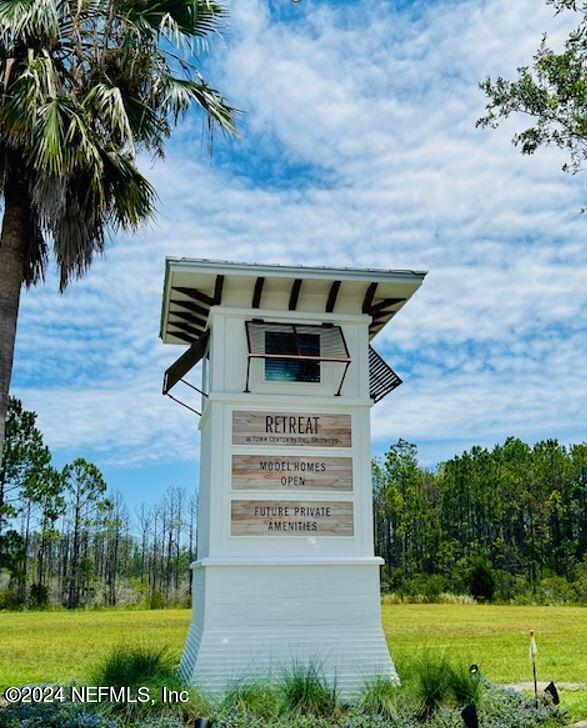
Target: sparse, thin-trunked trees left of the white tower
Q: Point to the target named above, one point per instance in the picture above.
(65, 540)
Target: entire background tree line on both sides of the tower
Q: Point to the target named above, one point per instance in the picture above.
(508, 523)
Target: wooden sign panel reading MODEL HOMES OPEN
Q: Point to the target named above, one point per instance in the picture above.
(291, 472)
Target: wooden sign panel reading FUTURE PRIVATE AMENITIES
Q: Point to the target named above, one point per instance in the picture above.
(291, 518)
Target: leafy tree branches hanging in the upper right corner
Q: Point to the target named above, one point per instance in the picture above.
(552, 91)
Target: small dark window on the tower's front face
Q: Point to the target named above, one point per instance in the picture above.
(292, 370)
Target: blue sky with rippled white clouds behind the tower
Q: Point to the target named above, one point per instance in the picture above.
(357, 147)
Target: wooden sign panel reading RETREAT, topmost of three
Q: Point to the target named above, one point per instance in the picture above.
(297, 429)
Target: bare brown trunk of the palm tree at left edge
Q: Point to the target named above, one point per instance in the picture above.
(12, 258)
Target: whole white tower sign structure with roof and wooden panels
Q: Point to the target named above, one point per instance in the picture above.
(286, 571)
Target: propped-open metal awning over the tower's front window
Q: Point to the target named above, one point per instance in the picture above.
(305, 344)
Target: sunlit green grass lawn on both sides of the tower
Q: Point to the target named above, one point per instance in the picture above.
(59, 646)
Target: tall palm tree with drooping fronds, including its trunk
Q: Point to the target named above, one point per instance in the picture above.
(86, 85)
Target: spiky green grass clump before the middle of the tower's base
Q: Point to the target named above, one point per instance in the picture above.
(304, 691)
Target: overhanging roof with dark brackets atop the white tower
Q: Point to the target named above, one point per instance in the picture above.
(193, 285)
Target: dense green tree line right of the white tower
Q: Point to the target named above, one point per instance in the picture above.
(508, 523)
